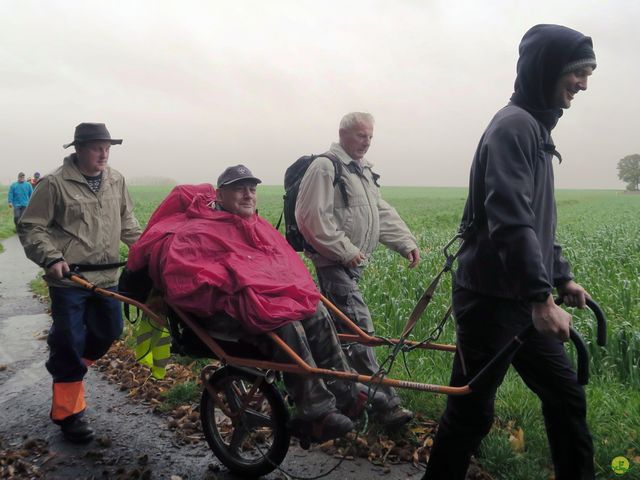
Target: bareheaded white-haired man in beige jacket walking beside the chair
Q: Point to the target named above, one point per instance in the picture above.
(344, 232)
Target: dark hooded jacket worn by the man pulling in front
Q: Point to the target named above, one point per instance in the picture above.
(510, 250)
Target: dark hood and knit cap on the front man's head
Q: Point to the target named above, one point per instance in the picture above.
(545, 51)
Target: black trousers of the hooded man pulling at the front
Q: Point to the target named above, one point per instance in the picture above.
(484, 325)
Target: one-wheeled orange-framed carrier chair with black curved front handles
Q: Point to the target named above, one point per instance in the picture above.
(244, 416)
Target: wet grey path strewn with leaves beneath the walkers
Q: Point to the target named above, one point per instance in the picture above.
(131, 442)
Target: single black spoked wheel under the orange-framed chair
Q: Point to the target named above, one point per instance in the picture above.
(249, 441)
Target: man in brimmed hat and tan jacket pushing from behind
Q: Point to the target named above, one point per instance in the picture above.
(77, 216)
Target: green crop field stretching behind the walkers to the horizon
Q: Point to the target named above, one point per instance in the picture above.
(600, 233)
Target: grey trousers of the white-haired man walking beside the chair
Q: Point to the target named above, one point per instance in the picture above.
(340, 285)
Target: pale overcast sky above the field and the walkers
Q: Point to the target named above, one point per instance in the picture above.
(194, 86)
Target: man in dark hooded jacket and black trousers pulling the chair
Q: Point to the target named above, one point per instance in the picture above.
(509, 264)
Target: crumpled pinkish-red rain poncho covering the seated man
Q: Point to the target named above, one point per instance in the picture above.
(207, 261)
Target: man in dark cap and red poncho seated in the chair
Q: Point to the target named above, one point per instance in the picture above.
(208, 251)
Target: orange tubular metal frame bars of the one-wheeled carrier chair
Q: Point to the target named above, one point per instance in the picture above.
(298, 365)
